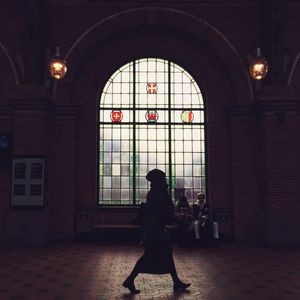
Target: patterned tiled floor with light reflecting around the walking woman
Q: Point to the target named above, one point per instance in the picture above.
(95, 271)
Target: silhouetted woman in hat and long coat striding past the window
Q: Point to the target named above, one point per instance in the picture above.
(157, 213)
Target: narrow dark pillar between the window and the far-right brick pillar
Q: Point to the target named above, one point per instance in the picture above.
(244, 169)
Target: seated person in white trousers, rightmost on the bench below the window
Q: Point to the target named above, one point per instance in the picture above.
(204, 227)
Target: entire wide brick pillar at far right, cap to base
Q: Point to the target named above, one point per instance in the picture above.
(280, 147)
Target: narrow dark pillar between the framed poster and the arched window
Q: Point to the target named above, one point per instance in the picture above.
(62, 170)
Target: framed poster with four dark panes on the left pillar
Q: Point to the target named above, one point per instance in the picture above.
(27, 182)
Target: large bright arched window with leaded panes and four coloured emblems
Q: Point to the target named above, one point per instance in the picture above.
(151, 115)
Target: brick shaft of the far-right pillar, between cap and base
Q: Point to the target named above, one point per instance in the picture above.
(282, 166)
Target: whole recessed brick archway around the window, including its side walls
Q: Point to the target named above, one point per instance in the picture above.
(189, 42)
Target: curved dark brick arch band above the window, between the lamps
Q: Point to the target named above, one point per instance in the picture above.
(163, 18)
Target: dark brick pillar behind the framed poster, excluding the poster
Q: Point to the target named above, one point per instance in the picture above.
(30, 108)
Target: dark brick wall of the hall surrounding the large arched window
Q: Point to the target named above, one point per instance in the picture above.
(252, 152)
